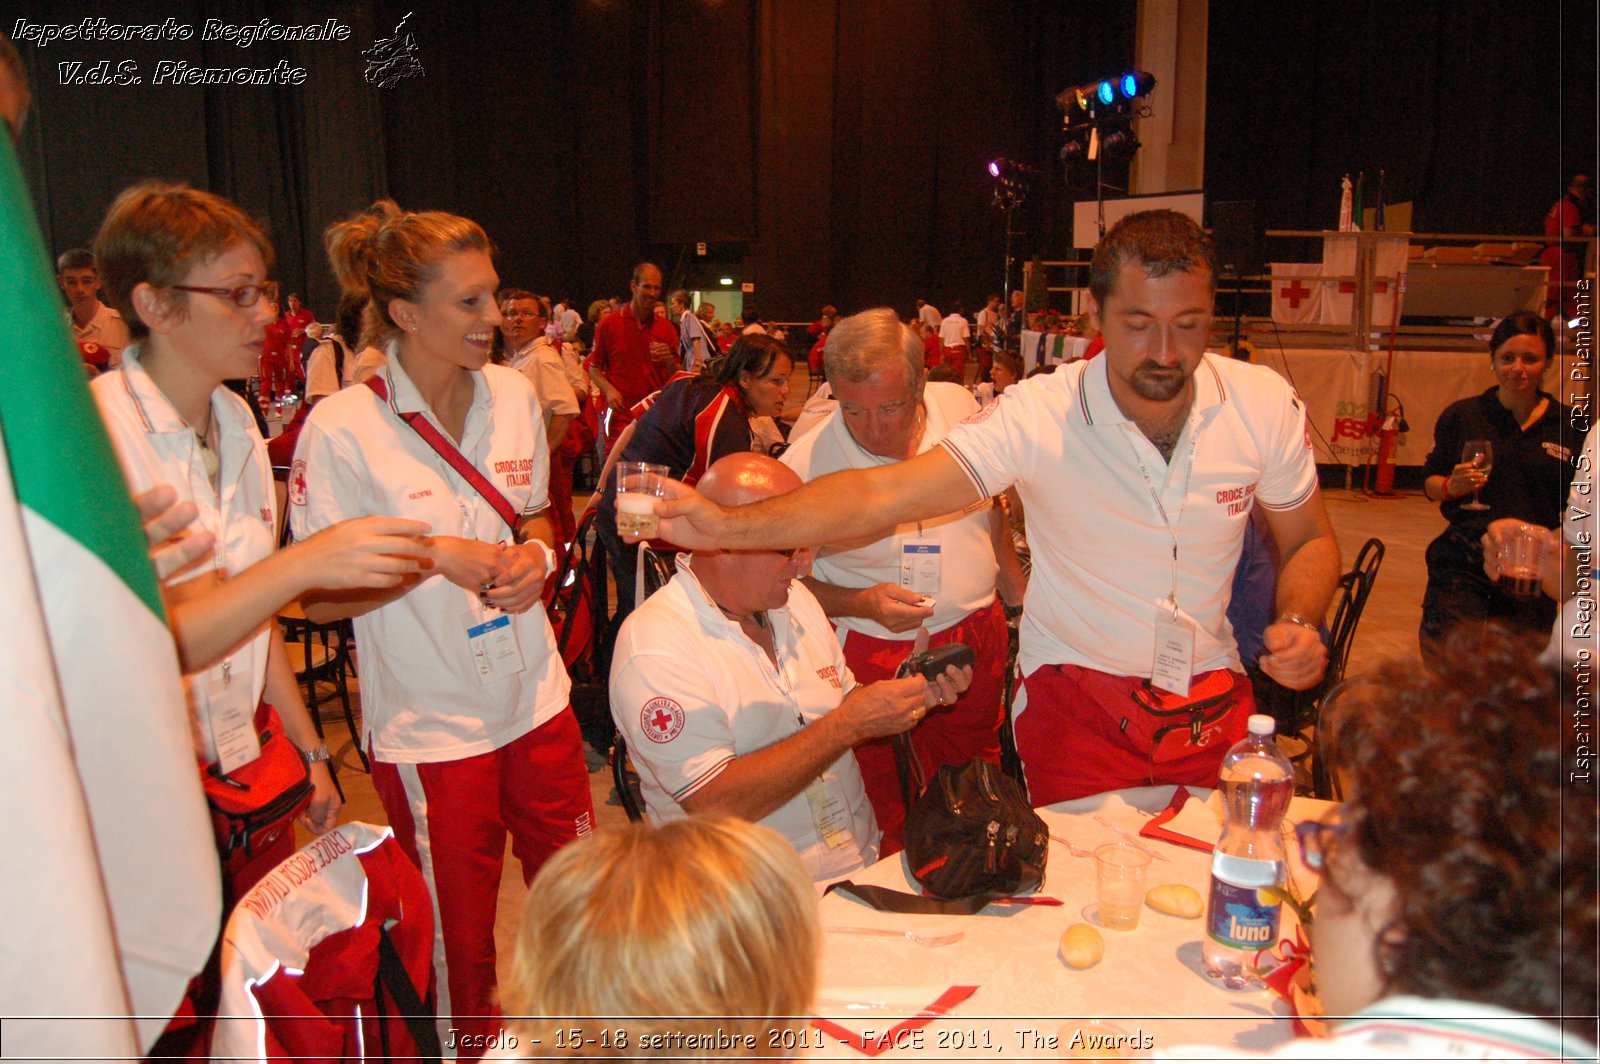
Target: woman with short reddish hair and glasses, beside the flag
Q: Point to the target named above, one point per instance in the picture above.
(188, 271)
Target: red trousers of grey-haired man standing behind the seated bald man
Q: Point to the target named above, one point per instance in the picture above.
(951, 735)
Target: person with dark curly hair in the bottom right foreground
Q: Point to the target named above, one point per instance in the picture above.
(1458, 905)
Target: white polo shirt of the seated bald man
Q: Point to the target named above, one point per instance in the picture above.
(690, 692)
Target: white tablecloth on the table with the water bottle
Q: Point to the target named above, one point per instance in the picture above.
(1151, 978)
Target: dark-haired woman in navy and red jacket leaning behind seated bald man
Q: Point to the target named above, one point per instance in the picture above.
(692, 423)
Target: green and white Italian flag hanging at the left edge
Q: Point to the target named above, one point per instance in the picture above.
(111, 894)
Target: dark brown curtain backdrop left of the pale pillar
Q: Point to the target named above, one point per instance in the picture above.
(823, 150)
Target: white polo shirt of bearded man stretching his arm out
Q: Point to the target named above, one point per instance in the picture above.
(1103, 553)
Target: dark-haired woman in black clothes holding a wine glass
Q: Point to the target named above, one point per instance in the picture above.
(1503, 454)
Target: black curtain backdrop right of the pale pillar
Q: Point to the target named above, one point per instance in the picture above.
(1474, 110)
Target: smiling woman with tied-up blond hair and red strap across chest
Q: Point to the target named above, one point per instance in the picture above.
(463, 692)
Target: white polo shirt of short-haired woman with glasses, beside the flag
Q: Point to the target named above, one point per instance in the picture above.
(158, 447)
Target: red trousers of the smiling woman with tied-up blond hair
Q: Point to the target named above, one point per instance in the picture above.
(452, 820)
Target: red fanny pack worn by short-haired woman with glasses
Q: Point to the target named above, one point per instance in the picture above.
(254, 806)
